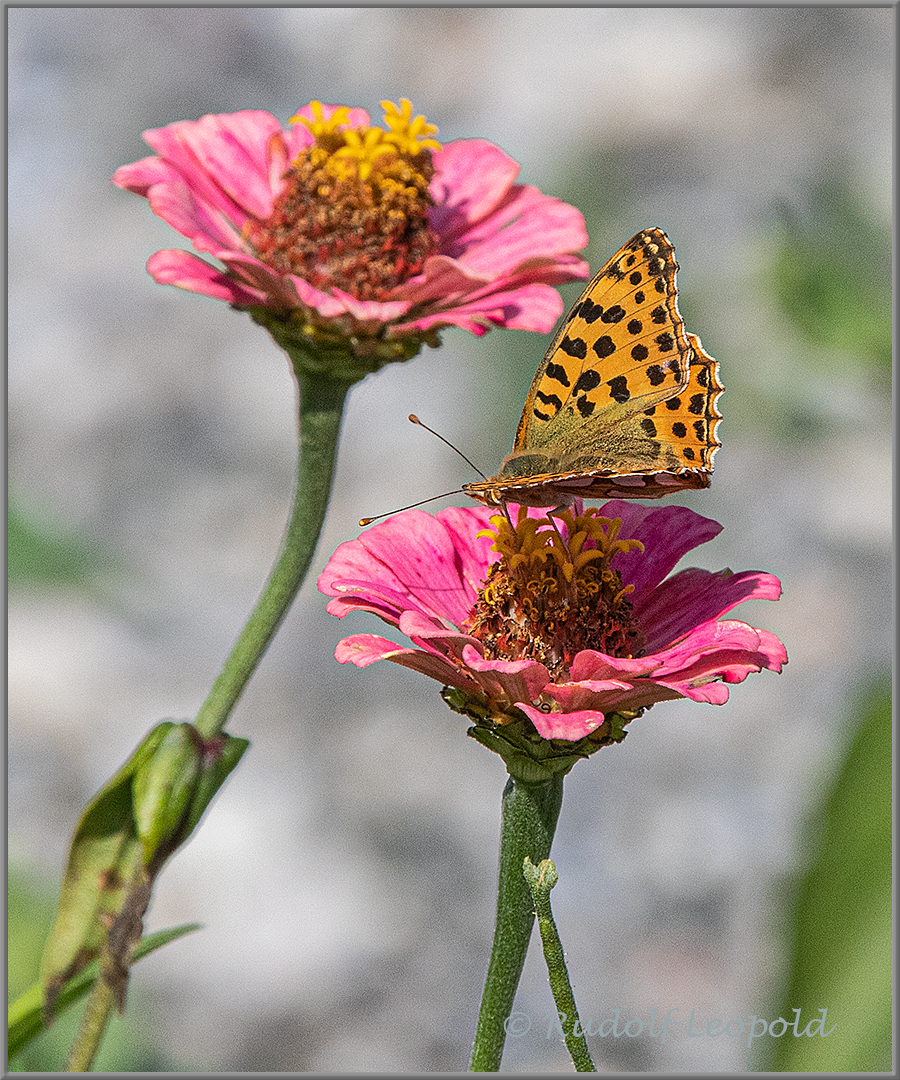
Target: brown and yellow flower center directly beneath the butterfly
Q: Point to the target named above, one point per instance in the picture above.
(549, 597)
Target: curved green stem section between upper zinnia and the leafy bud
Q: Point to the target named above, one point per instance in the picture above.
(321, 407)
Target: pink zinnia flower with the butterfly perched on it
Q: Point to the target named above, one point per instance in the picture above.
(576, 629)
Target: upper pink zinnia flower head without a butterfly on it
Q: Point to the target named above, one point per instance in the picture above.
(335, 224)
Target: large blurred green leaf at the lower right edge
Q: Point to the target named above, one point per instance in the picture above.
(842, 933)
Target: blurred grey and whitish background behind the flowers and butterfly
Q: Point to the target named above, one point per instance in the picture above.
(345, 875)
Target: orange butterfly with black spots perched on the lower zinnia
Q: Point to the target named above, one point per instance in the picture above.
(624, 402)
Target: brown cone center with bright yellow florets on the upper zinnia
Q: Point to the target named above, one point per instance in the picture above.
(354, 213)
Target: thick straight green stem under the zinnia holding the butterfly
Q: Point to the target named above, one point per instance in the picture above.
(530, 815)
